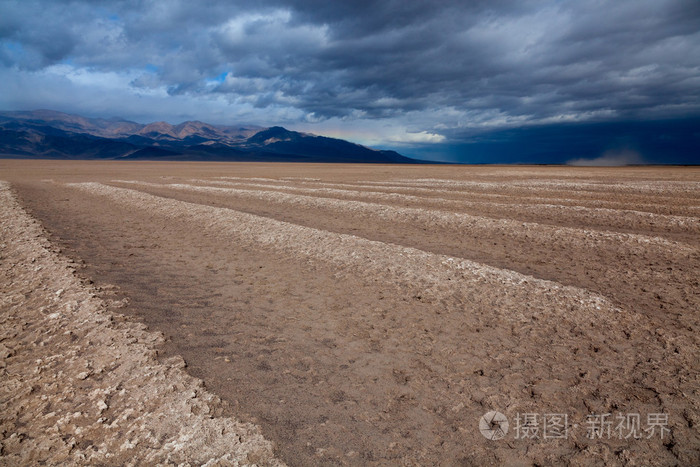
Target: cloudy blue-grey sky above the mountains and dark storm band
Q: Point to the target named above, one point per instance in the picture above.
(403, 74)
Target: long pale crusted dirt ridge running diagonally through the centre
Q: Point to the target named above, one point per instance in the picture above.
(435, 276)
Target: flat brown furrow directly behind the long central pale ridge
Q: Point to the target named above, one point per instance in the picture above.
(663, 270)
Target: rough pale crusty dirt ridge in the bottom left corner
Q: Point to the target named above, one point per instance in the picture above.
(82, 385)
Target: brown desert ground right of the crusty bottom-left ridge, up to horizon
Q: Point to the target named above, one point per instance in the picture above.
(372, 314)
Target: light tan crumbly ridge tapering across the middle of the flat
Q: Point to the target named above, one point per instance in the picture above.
(427, 271)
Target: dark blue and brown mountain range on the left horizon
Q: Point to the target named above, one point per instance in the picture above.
(48, 134)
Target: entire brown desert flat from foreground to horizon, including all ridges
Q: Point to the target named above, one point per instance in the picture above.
(348, 314)
